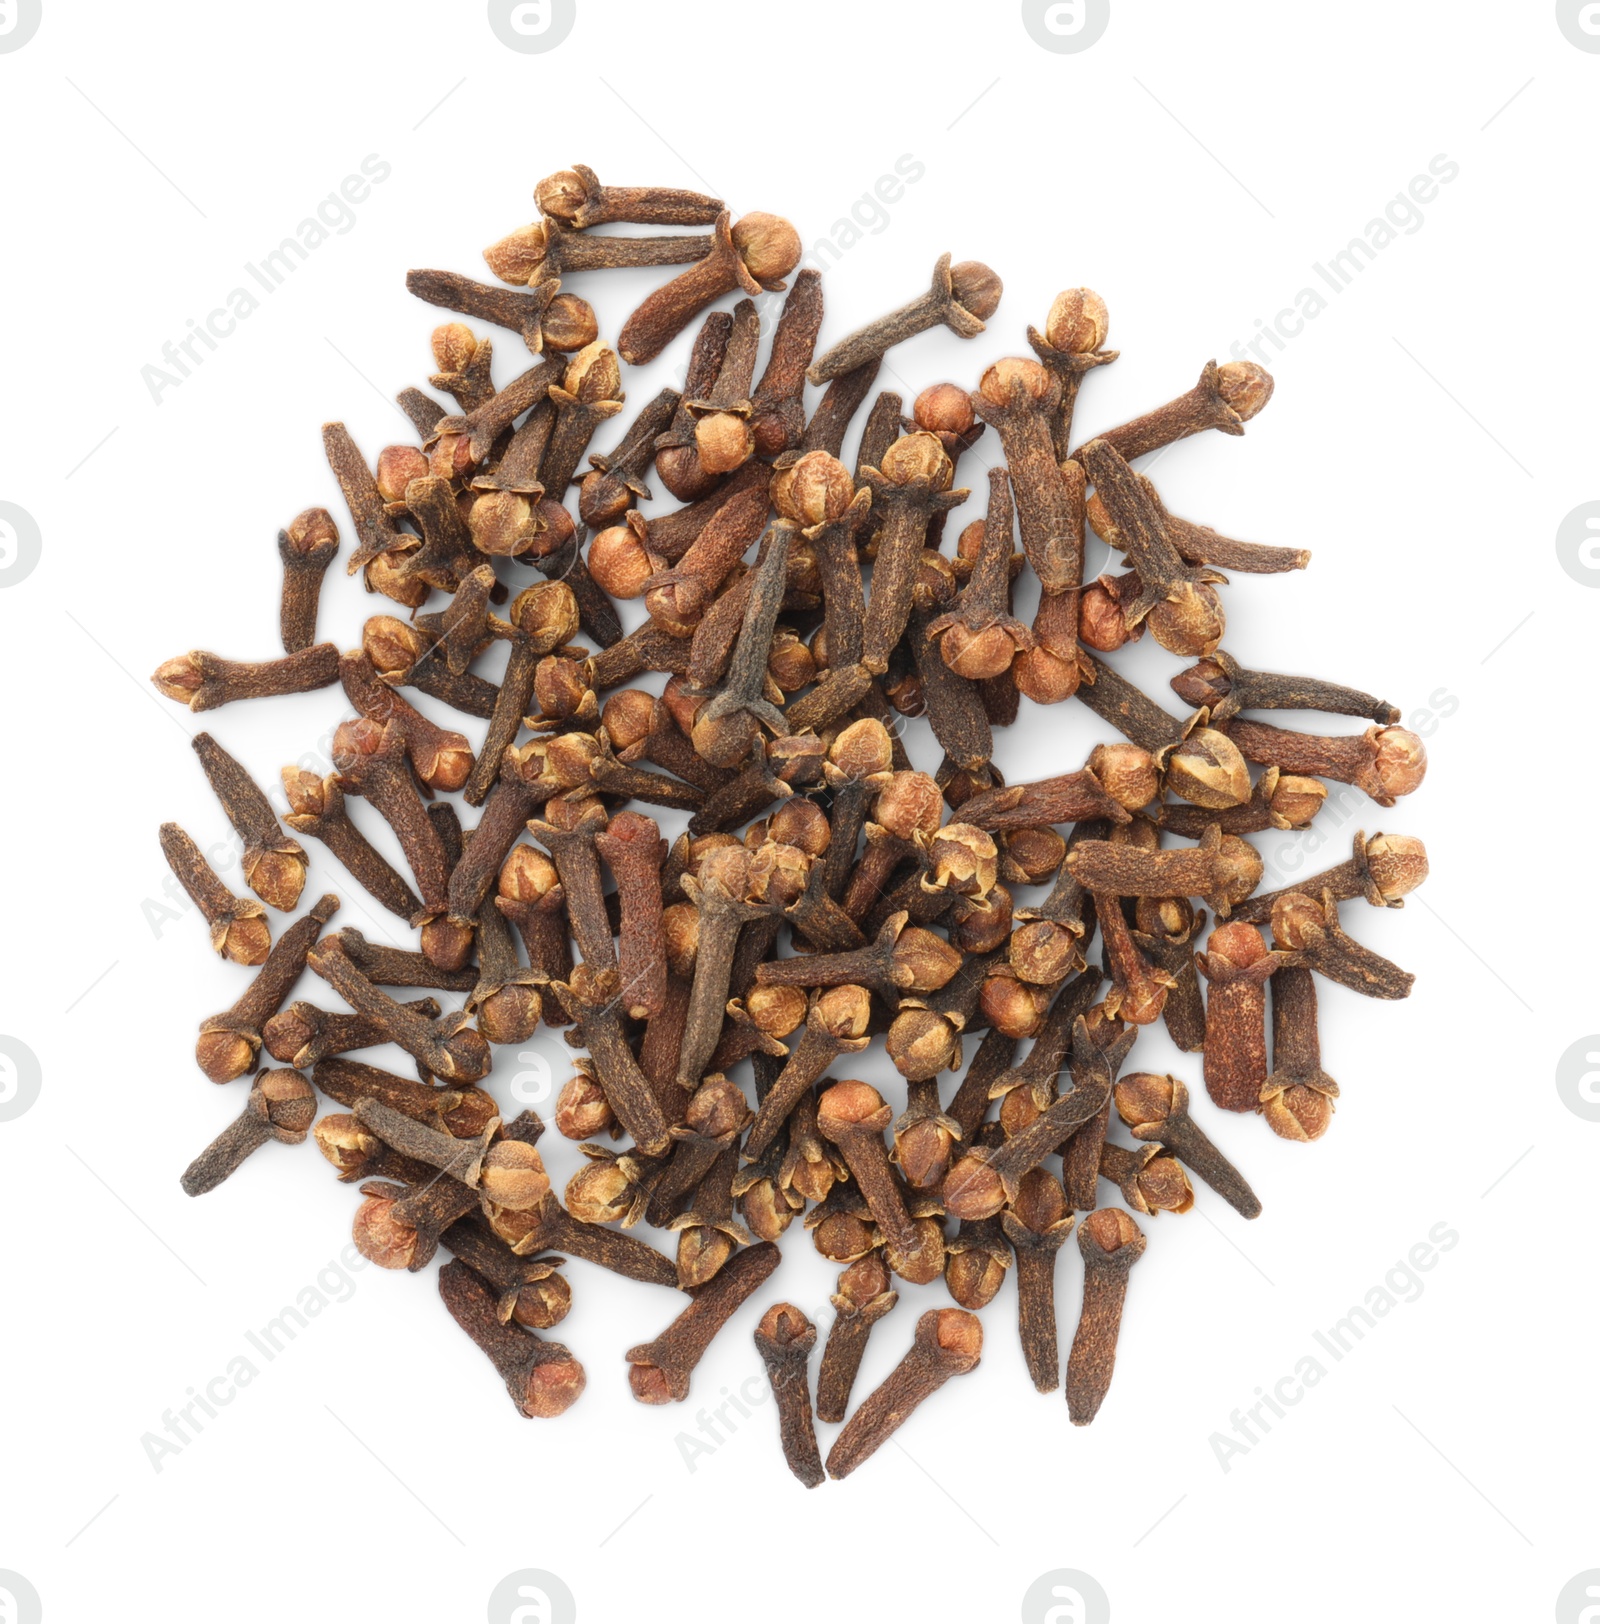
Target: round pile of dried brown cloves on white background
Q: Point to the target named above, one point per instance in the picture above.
(826, 891)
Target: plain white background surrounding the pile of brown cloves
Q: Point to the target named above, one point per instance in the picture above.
(1432, 430)
